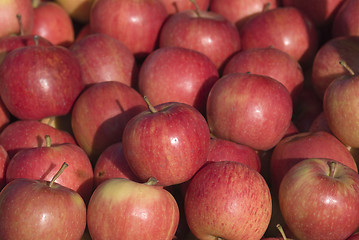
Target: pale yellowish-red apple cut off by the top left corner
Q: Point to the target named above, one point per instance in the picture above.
(8, 12)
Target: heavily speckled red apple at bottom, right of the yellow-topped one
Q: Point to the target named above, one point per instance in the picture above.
(223, 194)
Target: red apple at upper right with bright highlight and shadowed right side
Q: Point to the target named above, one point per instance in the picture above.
(285, 28)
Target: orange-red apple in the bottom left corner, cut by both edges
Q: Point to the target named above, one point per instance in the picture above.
(63, 209)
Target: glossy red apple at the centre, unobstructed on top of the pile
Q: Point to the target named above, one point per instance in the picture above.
(170, 144)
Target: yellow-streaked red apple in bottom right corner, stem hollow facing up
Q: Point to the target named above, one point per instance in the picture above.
(317, 189)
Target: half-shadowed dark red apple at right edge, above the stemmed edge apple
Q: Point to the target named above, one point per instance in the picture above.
(326, 65)
